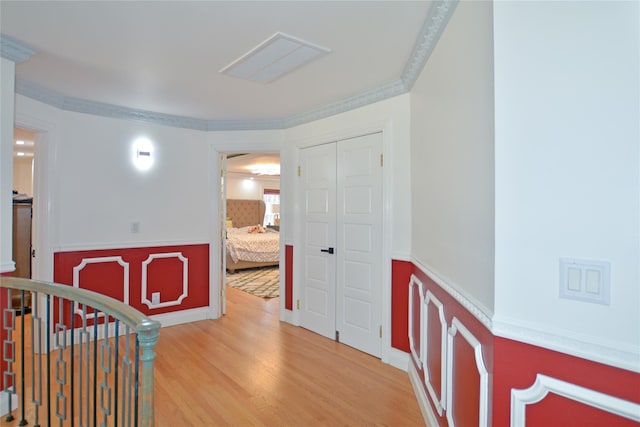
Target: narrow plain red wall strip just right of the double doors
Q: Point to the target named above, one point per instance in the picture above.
(400, 277)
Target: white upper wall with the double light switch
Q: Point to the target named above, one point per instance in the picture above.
(567, 171)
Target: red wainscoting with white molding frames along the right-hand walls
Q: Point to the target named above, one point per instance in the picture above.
(485, 392)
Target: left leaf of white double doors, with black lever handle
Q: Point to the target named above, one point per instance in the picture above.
(318, 267)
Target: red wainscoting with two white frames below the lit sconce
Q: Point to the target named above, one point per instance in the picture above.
(180, 274)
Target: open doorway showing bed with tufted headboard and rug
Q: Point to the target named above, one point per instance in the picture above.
(250, 218)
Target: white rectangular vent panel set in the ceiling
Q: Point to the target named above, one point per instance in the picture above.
(273, 58)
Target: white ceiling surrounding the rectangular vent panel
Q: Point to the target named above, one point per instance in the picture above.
(165, 56)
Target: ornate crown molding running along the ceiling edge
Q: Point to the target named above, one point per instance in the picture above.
(437, 18)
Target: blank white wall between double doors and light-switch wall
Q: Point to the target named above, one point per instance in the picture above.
(452, 163)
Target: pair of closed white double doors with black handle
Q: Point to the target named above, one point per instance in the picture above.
(342, 254)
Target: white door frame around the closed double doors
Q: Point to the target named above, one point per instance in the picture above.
(385, 127)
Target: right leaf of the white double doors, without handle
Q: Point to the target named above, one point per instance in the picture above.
(359, 243)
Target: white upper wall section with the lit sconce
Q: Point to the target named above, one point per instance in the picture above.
(97, 192)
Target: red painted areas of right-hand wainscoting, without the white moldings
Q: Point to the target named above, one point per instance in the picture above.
(510, 364)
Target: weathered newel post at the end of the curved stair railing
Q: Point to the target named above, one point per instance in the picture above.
(147, 339)
